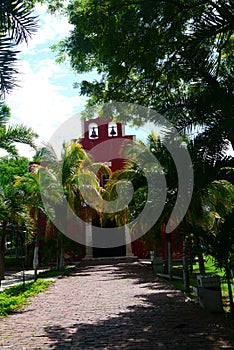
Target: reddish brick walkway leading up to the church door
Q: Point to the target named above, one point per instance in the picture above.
(114, 305)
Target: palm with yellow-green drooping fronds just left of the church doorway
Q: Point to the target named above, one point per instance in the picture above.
(70, 179)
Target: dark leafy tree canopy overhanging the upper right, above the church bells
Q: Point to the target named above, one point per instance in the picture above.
(173, 56)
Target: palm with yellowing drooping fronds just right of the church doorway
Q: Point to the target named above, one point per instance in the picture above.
(138, 176)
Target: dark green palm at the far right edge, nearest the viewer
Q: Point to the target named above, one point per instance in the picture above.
(214, 226)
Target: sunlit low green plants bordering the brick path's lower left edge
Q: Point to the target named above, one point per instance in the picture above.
(14, 298)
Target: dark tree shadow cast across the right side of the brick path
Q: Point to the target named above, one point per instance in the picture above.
(163, 318)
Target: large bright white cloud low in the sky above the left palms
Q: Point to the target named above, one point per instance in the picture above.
(41, 104)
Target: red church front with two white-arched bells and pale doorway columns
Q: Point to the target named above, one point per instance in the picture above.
(103, 140)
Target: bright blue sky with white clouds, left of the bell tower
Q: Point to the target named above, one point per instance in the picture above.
(45, 97)
